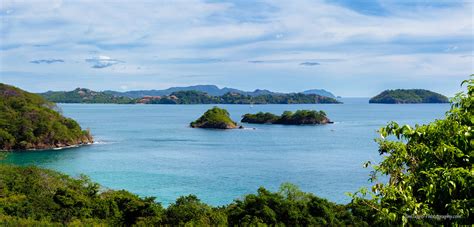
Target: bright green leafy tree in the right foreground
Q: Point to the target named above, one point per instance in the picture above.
(430, 168)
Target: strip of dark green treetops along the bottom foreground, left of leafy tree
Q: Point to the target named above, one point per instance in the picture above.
(35, 196)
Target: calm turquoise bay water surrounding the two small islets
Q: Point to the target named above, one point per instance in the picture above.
(151, 151)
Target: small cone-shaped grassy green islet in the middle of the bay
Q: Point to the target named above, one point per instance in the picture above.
(216, 118)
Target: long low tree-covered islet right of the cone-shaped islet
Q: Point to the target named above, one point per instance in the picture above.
(300, 117)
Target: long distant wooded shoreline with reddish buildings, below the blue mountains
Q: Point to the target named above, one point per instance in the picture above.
(82, 95)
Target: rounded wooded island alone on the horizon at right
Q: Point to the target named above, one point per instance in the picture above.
(403, 96)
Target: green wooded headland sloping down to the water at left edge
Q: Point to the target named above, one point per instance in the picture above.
(27, 121)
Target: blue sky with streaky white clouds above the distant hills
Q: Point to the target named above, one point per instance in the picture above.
(351, 48)
